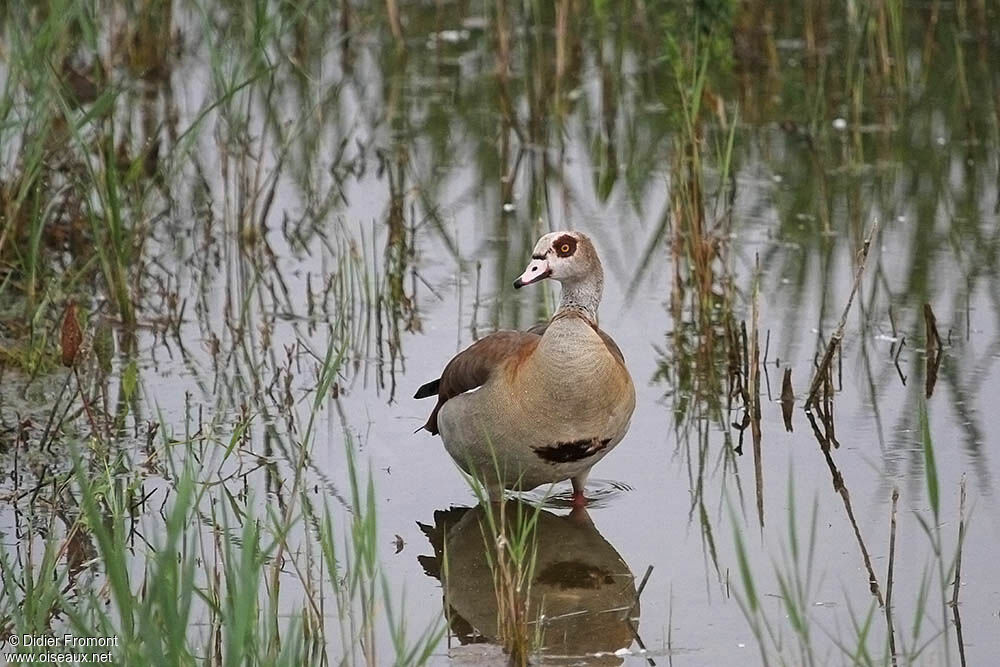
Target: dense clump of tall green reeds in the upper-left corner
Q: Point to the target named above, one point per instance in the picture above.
(81, 185)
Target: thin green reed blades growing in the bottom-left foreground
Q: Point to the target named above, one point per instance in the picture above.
(199, 592)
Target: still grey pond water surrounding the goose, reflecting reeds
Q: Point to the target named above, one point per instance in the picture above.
(382, 202)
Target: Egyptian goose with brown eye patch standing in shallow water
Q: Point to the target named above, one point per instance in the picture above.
(522, 409)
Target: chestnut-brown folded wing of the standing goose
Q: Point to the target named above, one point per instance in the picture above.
(473, 366)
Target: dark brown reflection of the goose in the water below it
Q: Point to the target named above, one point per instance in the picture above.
(581, 587)
